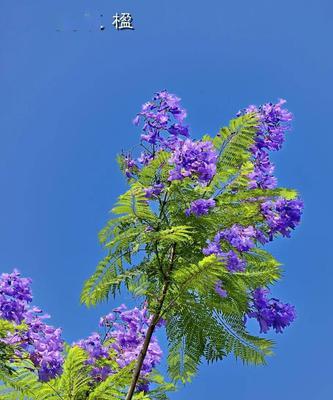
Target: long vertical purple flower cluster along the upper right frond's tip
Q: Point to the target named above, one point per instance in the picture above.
(274, 121)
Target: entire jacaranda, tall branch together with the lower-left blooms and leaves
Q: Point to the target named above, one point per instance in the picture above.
(187, 240)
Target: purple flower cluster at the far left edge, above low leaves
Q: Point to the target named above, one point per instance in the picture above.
(40, 341)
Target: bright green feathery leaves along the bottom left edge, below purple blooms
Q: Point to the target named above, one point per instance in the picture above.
(75, 383)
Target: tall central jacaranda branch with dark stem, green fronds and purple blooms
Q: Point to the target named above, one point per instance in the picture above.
(187, 237)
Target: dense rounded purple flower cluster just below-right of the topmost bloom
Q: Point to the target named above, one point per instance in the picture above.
(193, 159)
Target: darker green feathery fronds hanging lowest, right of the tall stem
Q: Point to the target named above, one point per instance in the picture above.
(207, 326)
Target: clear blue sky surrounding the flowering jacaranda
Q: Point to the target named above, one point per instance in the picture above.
(67, 101)
